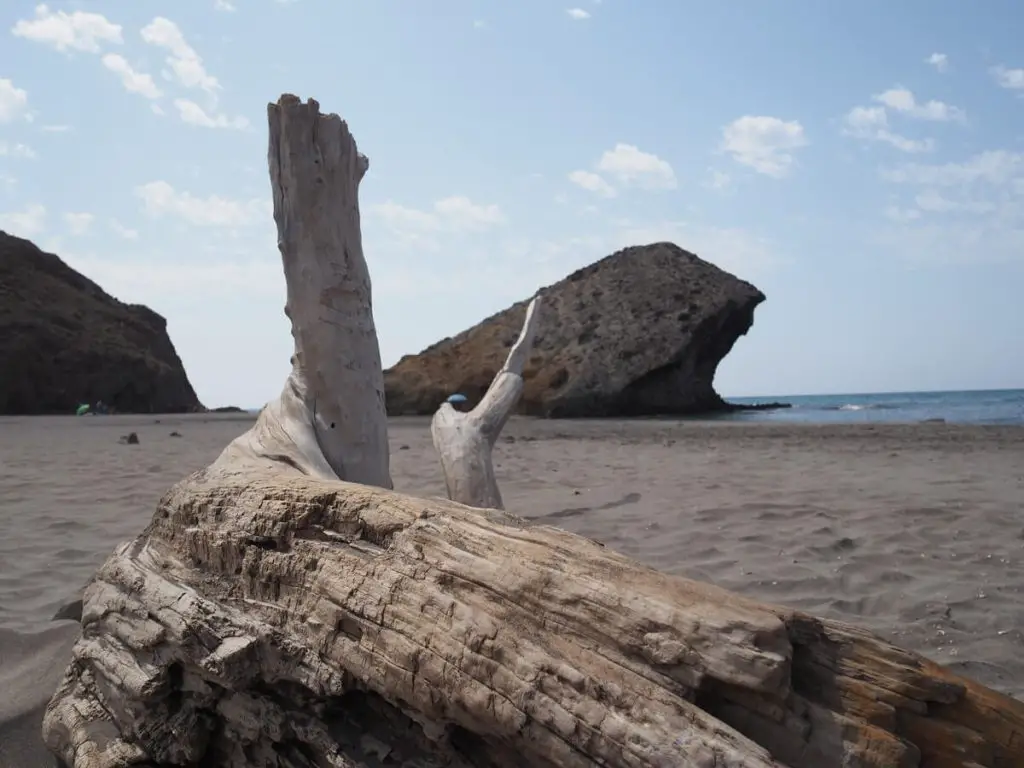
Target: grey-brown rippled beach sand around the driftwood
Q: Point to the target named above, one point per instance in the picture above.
(916, 532)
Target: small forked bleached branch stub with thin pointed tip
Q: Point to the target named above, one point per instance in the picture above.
(465, 441)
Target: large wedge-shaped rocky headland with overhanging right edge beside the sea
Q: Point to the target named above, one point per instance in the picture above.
(639, 333)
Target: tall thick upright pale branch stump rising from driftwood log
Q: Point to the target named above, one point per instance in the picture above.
(330, 419)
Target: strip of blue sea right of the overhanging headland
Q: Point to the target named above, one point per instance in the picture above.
(978, 407)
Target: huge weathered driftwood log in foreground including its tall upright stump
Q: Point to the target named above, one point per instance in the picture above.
(286, 609)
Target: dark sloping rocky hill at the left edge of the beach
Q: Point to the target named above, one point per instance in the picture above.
(64, 342)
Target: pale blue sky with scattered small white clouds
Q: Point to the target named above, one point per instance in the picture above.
(862, 163)
